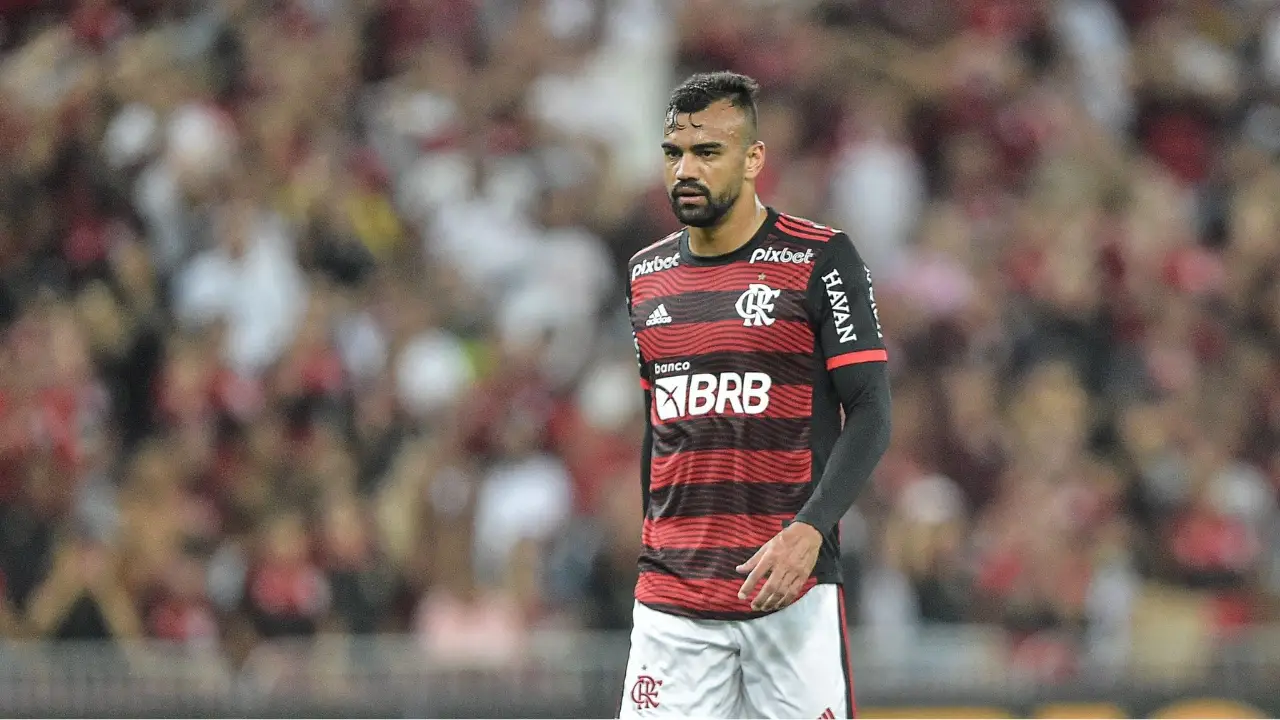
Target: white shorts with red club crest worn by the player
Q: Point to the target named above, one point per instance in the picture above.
(790, 664)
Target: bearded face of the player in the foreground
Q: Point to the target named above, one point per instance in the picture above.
(708, 161)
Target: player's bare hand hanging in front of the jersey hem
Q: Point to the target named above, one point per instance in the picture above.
(788, 562)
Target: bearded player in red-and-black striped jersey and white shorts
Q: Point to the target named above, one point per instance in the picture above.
(755, 330)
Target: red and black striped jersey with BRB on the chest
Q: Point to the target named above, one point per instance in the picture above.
(735, 354)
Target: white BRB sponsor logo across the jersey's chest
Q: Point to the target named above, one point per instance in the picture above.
(702, 394)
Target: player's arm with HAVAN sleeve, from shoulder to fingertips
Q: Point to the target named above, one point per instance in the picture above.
(853, 349)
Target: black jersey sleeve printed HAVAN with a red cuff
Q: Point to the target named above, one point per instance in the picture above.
(843, 303)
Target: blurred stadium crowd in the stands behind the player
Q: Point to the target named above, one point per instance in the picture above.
(317, 393)
